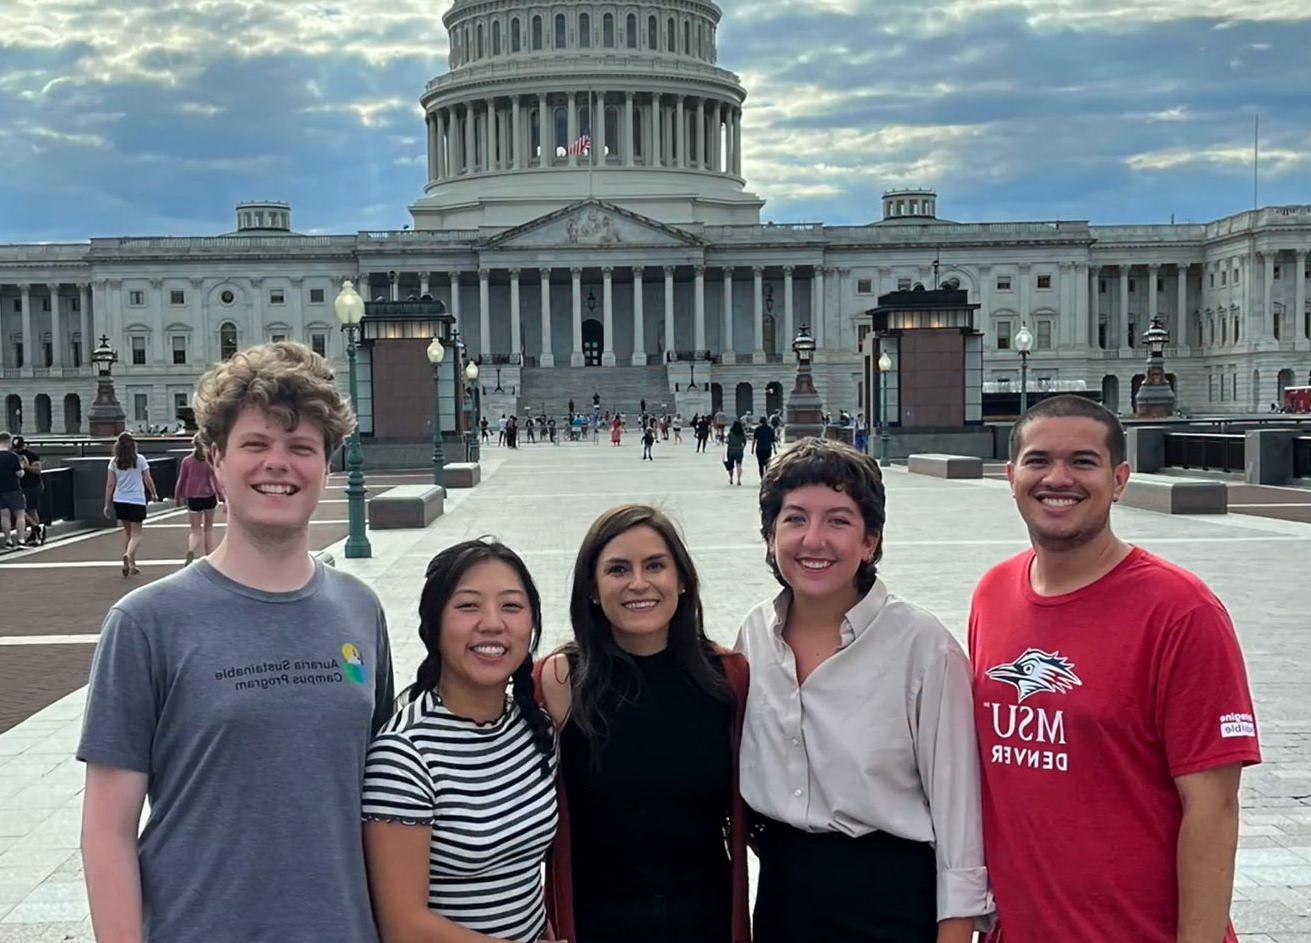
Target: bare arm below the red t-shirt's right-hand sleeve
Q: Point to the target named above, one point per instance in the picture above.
(1208, 841)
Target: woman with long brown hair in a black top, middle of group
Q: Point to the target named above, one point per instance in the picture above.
(652, 839)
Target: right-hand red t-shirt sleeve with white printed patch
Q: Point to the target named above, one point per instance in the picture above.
(1204, 705)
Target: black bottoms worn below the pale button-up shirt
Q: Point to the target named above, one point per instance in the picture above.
(878, 889)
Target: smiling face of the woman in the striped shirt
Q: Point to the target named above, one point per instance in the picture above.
(487, 629)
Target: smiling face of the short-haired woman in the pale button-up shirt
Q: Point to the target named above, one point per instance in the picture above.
(820, 542)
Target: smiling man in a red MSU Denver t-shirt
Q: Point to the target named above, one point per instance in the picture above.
(1112, 709)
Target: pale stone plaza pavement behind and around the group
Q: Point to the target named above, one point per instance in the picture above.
(941, 538)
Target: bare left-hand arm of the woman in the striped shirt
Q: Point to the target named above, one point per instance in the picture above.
(398, 878)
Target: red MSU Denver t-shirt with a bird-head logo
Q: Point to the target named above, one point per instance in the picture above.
(1087, 706)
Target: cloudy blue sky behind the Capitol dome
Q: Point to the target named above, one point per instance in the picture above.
(153, 117)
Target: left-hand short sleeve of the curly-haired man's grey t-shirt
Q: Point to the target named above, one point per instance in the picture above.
(123, 713)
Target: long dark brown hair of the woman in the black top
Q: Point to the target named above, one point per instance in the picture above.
(595, 654)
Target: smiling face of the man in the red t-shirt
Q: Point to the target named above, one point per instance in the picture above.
(1064, 481)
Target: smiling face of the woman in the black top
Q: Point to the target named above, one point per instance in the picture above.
(638, 587)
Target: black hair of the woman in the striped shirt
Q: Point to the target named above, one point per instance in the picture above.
(445, 572)
